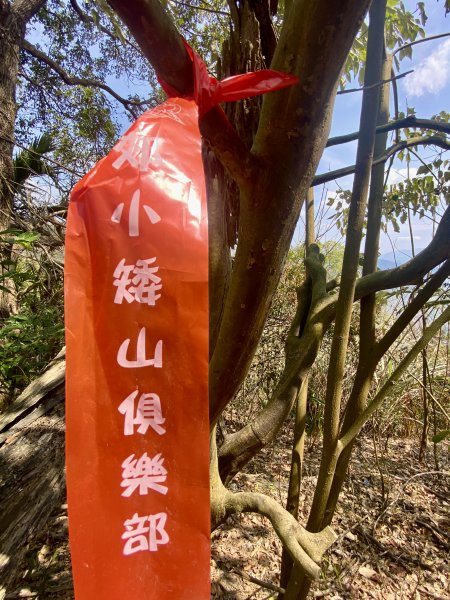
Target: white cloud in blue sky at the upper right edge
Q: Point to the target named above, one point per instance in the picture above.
(432, 74)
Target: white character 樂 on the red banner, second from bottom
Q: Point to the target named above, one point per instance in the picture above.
(144, 473)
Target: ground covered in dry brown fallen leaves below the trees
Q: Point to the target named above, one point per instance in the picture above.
(393, 526)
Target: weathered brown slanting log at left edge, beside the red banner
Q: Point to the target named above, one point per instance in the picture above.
(32, 478)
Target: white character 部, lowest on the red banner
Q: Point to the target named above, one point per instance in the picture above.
(144, 533)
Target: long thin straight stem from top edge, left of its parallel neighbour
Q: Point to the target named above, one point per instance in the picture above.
(357, 211)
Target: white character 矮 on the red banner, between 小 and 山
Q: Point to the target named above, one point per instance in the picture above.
(144, 282)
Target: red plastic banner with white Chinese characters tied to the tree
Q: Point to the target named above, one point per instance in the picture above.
(136, 301)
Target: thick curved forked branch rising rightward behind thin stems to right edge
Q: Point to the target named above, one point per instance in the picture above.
(305, 336)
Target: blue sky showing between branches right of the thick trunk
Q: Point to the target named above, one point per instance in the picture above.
(427, 89)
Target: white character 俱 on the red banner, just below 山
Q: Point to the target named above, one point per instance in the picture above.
(148, 414)
